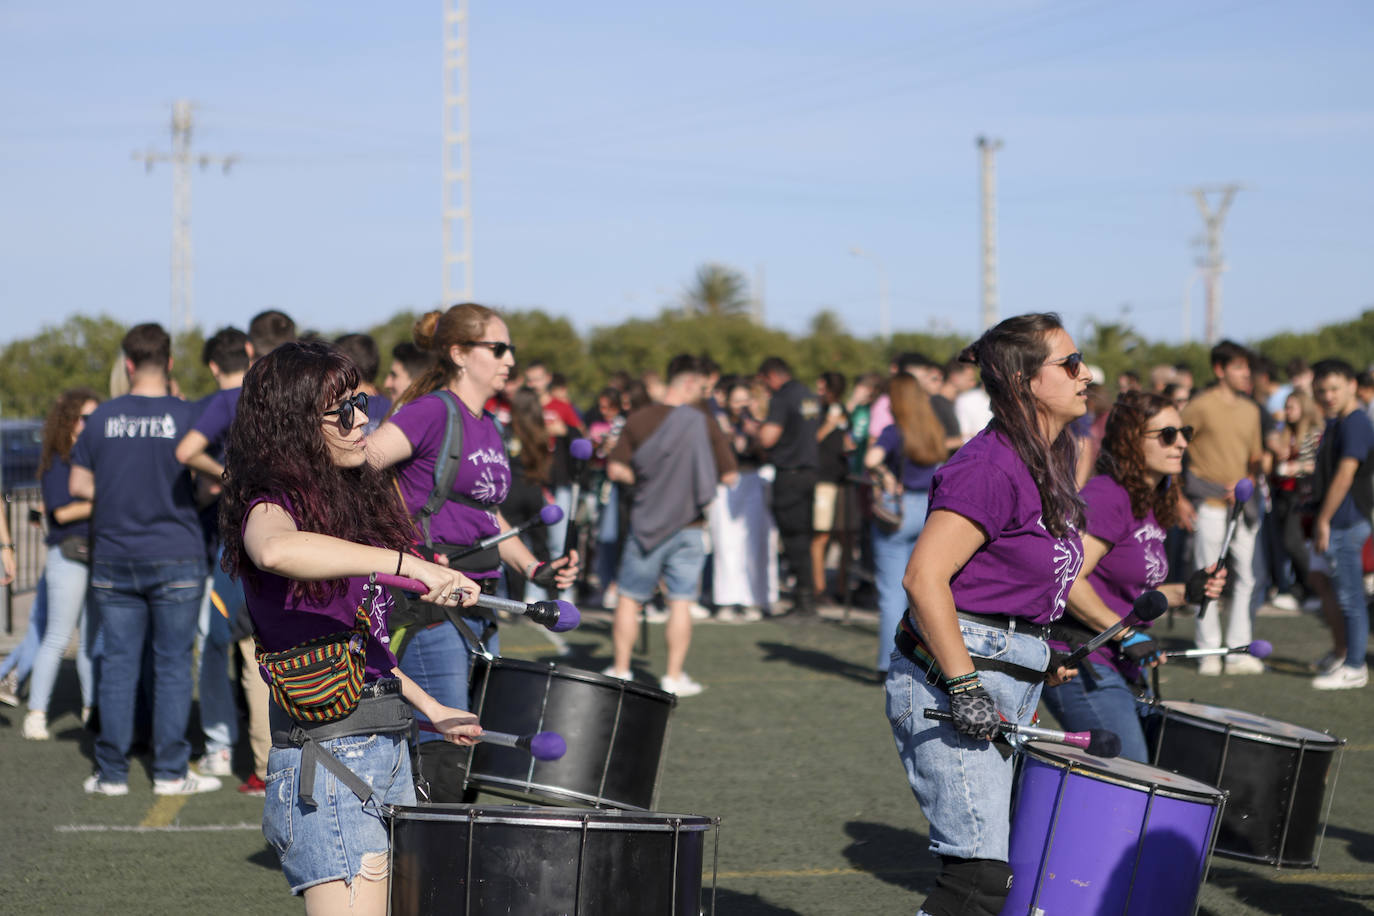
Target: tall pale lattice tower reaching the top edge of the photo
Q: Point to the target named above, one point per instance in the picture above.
(457, 207)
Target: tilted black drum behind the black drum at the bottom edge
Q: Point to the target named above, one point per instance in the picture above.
(616, 733)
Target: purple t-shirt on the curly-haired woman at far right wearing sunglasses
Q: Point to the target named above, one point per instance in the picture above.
(1136, 560)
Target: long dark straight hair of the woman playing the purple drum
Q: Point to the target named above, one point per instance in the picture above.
(1009, 356)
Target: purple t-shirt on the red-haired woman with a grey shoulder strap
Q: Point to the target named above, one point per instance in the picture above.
(486, 474)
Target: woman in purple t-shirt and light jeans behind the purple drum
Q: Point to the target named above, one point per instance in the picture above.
(991, 569)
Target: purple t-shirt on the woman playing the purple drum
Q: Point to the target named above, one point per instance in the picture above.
(1023, 571)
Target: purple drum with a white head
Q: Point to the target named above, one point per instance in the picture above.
(1107, 837)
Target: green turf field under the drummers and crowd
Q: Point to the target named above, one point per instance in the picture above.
(788, 746)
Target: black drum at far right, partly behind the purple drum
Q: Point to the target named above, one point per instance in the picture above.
(1277, 777)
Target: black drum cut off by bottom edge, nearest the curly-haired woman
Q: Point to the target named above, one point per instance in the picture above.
(473, 860)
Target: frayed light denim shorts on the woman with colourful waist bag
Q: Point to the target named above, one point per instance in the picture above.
(328, 843)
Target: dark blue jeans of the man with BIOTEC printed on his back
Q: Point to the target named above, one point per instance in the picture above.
(131, 598)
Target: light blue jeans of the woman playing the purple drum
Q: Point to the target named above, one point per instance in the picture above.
(964, 786)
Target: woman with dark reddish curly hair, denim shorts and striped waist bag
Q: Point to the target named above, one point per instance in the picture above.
(304, 523)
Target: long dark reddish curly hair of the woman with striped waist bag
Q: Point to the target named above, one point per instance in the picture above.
(277, 450)
